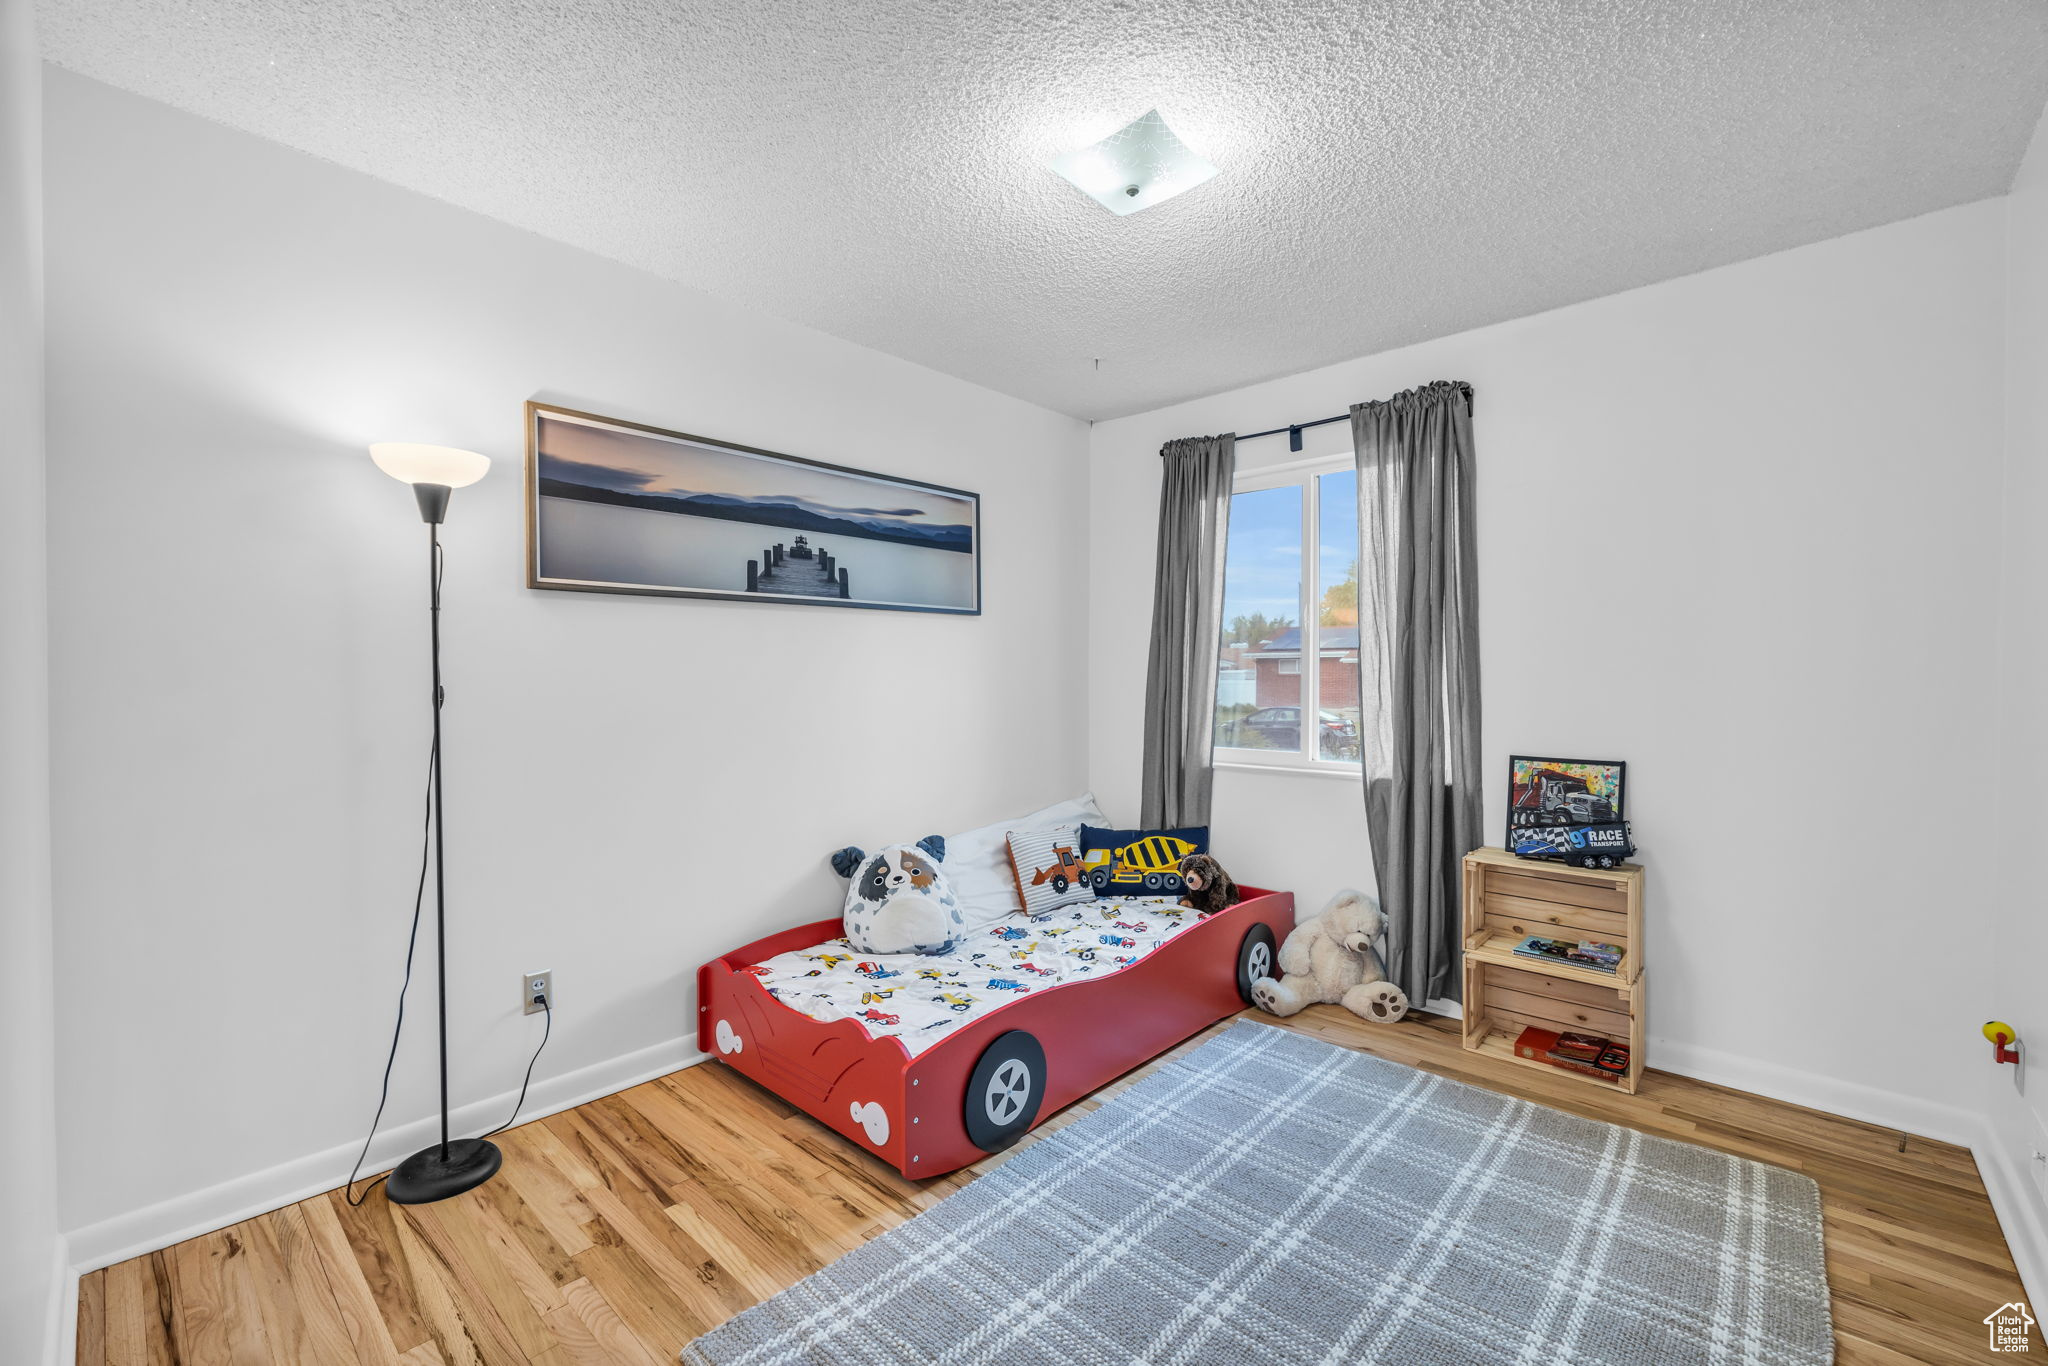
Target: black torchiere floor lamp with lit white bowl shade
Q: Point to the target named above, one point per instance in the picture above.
(452, 1166)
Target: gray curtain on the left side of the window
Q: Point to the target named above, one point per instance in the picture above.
(1181, 683)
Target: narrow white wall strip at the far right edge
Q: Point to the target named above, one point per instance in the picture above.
(2016, 1099)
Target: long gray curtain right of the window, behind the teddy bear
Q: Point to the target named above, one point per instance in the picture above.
(1418, 632)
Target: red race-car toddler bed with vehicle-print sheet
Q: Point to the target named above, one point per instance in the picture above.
(1015, 1052)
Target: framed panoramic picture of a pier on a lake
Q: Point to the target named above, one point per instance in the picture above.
(617, 507)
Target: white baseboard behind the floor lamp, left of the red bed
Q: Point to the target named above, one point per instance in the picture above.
(245, 1197)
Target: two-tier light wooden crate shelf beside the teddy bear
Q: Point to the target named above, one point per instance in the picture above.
(1506, 900)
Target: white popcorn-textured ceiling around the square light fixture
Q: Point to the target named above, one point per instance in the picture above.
(1392, 169)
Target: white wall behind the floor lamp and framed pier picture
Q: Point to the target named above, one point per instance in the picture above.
(241, 654)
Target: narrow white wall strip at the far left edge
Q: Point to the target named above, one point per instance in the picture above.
(30, 1246)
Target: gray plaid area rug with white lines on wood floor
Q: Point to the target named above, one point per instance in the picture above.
(1271, 1201)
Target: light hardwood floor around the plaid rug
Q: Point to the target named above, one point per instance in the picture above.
(626, 1228)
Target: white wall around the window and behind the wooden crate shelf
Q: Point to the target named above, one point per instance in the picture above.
(1793, 470)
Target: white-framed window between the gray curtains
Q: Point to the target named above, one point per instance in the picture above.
(1283, 609)
